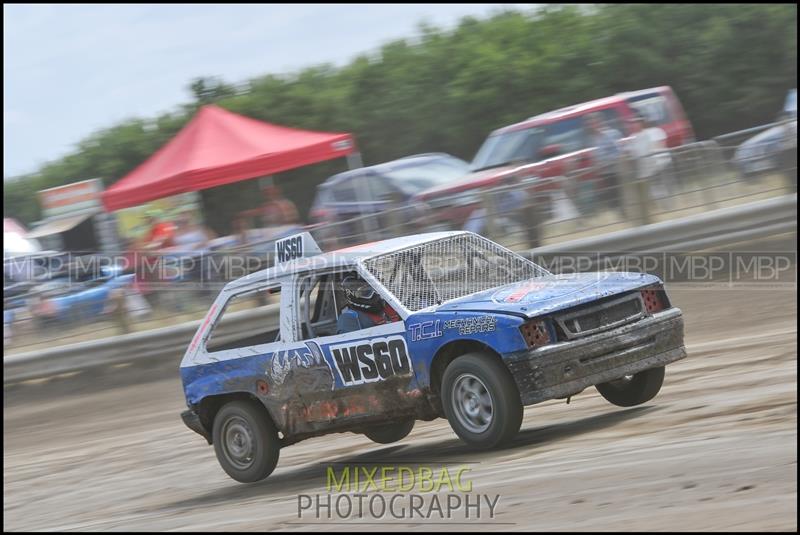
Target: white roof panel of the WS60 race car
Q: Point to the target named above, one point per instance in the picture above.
(348, 256)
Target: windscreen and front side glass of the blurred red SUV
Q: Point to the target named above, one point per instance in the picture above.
(526, 145)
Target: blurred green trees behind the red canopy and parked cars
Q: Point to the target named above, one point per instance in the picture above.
(730, 64)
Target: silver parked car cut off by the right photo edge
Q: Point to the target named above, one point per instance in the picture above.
(761, 153)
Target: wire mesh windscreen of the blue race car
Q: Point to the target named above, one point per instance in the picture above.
(445, 269)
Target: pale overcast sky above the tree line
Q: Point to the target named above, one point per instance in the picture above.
(69, 70)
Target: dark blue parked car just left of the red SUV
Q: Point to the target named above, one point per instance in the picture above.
(374, 189)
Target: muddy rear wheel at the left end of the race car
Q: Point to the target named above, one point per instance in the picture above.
(245, 441)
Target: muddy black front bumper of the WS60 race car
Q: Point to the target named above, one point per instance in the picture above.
(563, 369)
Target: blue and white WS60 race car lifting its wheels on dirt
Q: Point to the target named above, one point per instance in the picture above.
(478, 333)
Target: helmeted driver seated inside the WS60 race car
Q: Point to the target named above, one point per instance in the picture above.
(365, 308)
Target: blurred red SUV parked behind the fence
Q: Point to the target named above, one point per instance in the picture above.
(549, 145)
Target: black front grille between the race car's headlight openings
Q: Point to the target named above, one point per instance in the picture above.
(600, 317)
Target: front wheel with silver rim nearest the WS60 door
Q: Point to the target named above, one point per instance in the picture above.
(481, 400)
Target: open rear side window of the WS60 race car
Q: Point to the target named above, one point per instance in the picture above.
(247, 320)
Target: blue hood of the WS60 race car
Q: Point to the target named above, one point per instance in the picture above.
(543, 295)
